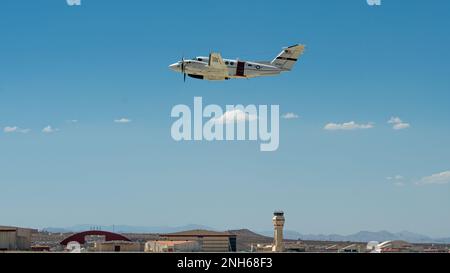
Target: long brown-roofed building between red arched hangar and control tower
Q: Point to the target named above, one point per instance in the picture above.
(209, 241)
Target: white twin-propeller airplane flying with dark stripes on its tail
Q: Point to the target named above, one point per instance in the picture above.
(214, 68)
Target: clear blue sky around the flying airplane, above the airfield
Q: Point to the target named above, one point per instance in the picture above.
(106, 60)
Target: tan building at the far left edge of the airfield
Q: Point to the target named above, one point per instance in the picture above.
(15, 238)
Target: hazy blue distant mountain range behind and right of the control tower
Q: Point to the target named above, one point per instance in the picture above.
(364, 236)
